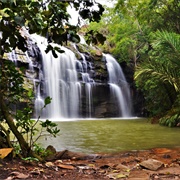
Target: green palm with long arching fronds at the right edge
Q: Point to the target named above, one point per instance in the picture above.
(159, 77)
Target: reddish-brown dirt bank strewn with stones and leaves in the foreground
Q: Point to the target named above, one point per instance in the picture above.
(75, 166)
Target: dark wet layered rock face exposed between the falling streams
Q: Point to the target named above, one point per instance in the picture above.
(102, 104)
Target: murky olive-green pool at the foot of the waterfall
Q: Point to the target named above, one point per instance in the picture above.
(95, 136)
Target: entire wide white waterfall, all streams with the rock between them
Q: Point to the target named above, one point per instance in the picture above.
(78, 87)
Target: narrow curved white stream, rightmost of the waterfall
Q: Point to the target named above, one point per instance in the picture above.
(119, 86)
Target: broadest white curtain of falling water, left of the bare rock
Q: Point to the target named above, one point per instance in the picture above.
(60, 82)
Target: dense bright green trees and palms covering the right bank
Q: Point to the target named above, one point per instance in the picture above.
(146, 35)
